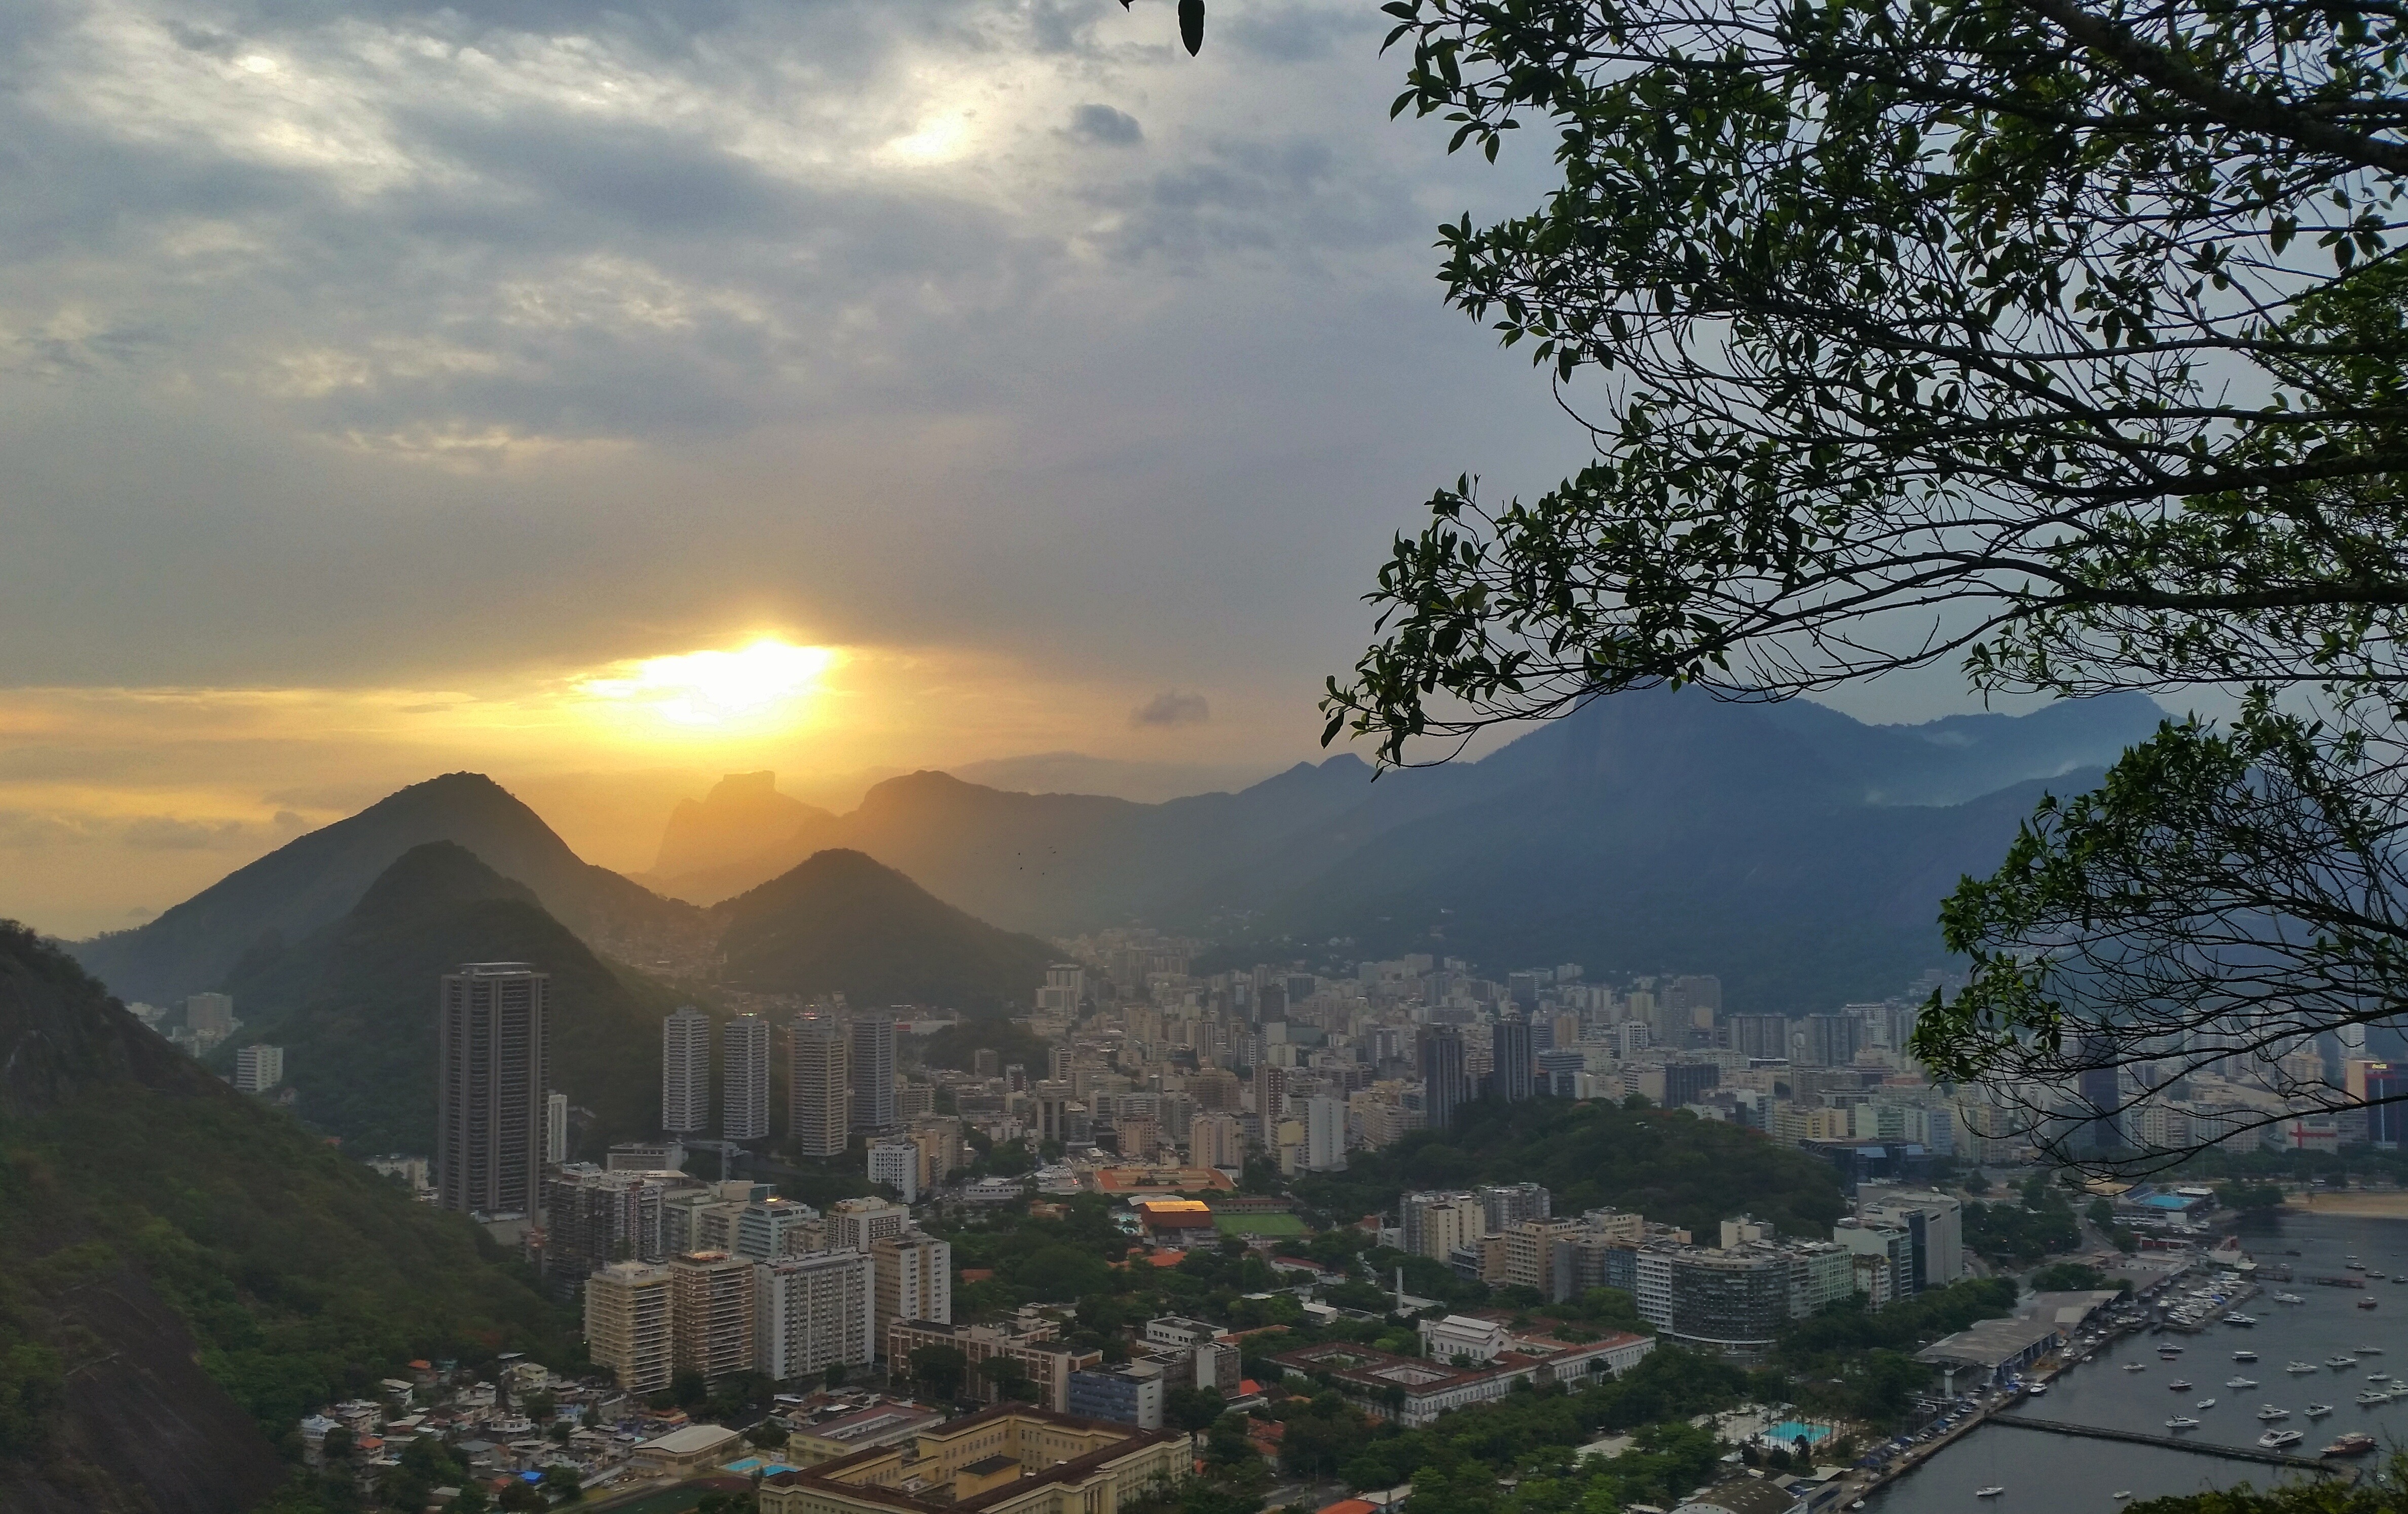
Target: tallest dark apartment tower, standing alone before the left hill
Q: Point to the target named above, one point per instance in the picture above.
(492, 1077)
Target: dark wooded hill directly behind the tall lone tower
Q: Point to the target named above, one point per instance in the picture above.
(353, 1005)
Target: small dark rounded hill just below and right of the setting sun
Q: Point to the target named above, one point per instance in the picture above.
(842, 923)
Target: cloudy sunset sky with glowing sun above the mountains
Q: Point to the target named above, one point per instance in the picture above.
(608, 398)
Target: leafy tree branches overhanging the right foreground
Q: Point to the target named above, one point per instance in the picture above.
(2060, 341)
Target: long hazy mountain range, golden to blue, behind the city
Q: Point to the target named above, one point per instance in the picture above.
(1793, 851)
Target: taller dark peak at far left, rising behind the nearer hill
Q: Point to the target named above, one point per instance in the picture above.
(319, 877)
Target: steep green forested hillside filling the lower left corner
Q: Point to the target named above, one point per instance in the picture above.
(184, 1272)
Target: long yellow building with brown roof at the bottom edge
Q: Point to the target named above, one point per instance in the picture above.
(1010, 1460)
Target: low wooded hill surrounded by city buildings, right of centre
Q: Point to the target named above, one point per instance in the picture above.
(1668, 1166)
